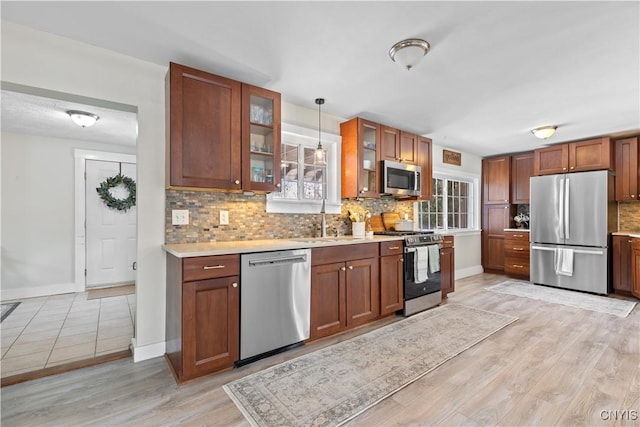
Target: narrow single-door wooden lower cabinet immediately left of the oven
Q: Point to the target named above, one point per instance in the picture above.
(391, 277)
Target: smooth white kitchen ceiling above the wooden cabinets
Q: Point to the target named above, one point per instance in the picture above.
(495, 70)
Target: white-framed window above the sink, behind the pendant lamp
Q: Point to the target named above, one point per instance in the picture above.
(303, 183)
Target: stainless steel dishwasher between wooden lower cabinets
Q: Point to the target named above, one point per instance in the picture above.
(275, 302)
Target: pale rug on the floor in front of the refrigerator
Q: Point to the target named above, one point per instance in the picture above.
(601, 304)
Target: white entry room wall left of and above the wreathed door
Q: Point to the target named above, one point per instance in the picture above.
(38, 213)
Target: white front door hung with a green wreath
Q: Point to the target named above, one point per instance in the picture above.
(110, 233)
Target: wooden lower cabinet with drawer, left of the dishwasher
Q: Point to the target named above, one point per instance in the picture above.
(203, 314)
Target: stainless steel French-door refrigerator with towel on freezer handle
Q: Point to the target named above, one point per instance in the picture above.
(571, 218)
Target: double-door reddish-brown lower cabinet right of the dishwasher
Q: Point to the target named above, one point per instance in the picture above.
(345, 288)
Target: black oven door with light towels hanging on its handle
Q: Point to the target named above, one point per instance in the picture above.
(414, 288)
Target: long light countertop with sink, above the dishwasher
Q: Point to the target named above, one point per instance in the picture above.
(187, 250)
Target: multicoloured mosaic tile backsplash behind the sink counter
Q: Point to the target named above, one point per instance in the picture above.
(248, 219)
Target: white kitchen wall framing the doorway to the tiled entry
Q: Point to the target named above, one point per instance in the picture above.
(43, 60)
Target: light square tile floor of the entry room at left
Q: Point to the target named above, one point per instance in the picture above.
(47, 331)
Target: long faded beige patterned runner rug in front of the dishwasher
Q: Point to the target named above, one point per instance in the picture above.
(333, 385)
